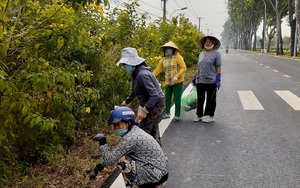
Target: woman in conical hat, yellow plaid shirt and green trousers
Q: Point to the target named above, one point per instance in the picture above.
(174, 67)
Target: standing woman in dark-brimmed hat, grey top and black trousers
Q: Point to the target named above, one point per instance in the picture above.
(208, 78)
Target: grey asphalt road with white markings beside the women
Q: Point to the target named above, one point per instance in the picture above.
(255, 139)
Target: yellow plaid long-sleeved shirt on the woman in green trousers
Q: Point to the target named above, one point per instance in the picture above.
(173, 66)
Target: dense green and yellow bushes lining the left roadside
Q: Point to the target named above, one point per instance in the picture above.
(59, 83)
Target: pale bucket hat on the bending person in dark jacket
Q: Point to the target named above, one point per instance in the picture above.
(130, 57)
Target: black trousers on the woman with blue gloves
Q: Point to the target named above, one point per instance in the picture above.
(208, 92)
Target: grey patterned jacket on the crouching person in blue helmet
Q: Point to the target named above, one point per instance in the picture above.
(142, 148)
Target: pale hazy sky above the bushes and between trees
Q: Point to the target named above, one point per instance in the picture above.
(213, 13)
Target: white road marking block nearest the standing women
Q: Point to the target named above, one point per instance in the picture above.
(249, 101)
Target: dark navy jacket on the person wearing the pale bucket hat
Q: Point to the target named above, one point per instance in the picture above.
(146, 88)
